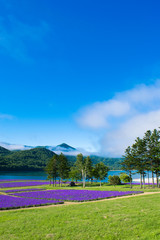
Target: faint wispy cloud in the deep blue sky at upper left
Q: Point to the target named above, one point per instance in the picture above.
(17, 36)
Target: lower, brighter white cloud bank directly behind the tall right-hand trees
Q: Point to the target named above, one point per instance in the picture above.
(115, 142)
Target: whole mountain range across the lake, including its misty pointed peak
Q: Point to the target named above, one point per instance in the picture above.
(36, 158)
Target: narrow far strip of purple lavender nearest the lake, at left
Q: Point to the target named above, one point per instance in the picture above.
(22, 184)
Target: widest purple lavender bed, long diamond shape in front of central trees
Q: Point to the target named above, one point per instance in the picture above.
(74, 195)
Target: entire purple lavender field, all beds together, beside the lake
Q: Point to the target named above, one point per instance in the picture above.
(27, 197)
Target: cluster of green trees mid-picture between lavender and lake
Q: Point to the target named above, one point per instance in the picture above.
(58, 168)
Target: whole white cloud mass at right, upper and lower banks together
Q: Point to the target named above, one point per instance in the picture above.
(128, 115)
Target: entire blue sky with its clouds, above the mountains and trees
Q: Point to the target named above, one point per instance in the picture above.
(81, 72)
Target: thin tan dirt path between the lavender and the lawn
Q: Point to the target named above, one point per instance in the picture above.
(75, 203)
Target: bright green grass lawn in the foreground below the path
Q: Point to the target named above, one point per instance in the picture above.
(128, 218)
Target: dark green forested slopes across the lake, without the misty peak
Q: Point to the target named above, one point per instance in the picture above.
(37, 158)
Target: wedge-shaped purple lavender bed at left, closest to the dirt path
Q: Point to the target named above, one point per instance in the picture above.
(7, 202)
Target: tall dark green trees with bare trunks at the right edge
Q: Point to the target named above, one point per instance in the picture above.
(144, 157)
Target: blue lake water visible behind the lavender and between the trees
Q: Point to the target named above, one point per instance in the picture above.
(31, 175)
